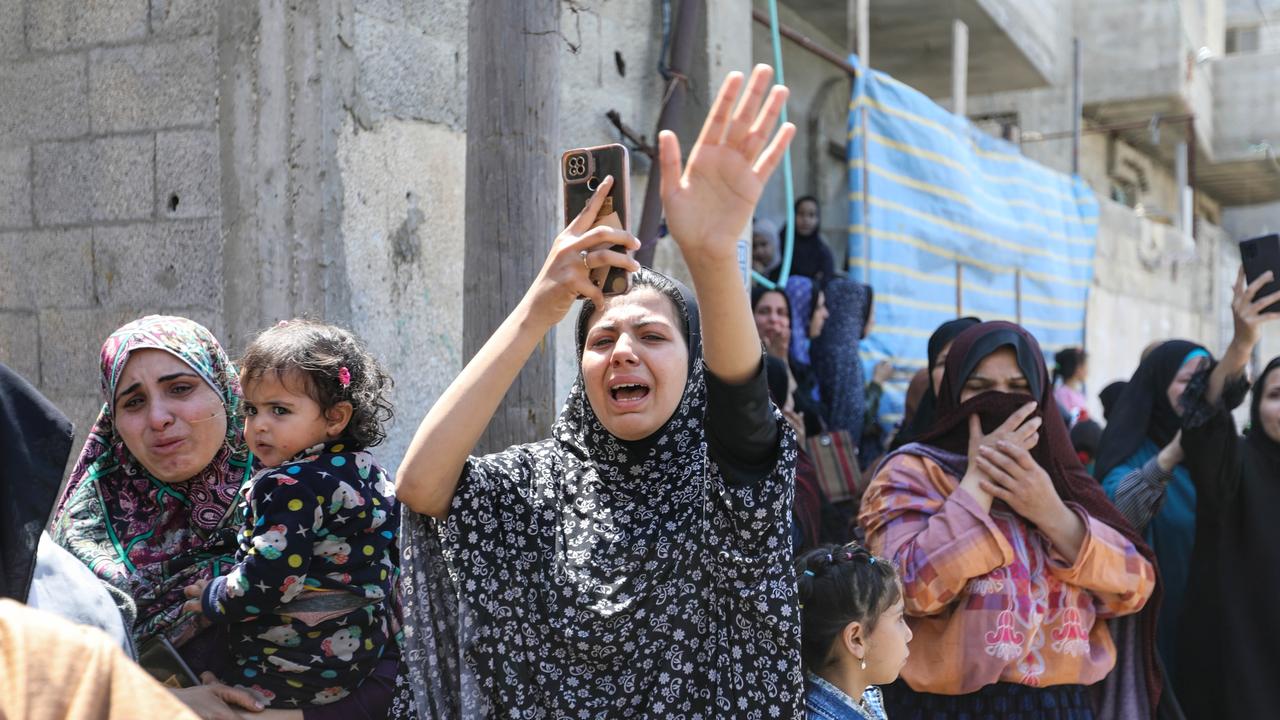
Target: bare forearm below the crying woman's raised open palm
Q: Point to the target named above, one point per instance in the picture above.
(732, 345)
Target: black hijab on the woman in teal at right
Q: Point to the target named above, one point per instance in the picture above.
(1144, 411)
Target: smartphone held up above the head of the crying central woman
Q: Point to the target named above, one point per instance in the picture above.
(582, 172)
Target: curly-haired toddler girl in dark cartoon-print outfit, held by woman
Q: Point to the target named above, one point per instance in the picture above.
(308, 600)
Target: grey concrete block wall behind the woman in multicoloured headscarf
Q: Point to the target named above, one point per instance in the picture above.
(109, 192)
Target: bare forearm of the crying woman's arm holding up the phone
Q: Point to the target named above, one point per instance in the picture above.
(429, 475)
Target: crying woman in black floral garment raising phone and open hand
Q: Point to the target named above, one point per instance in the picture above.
(638, 563)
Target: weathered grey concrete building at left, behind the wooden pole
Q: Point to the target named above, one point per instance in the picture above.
(245, 162)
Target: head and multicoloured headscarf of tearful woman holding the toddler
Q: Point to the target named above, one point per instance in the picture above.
(145, 535)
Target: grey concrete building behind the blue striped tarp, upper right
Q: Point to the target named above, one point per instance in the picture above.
(1165, 258)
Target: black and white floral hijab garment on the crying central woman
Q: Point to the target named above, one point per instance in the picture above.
(584, 576)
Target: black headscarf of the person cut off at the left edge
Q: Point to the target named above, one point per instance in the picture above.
(35, 443)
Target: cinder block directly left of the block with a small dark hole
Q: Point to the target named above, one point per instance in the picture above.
(111, 179)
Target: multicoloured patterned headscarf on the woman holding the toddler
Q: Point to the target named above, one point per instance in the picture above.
(143, 536)
